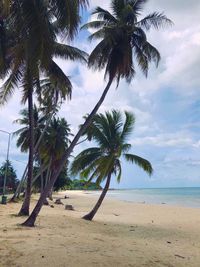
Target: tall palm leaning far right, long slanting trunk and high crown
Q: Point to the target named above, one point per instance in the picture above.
(122, 41)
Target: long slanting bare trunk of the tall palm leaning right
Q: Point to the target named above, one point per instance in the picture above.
(32, 218)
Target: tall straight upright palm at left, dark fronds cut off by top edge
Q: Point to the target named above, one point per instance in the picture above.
(28, 47)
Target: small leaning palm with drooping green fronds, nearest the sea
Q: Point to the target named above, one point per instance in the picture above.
(111, 134)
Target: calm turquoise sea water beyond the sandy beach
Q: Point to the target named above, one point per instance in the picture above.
(188, 197)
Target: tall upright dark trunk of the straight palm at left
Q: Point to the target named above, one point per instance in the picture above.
(26, 203)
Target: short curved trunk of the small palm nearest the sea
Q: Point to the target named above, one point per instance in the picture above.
(92, 213)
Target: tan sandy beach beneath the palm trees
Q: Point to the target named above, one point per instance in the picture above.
(122, 234)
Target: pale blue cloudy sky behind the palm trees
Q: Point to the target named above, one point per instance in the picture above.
(166, 104)
